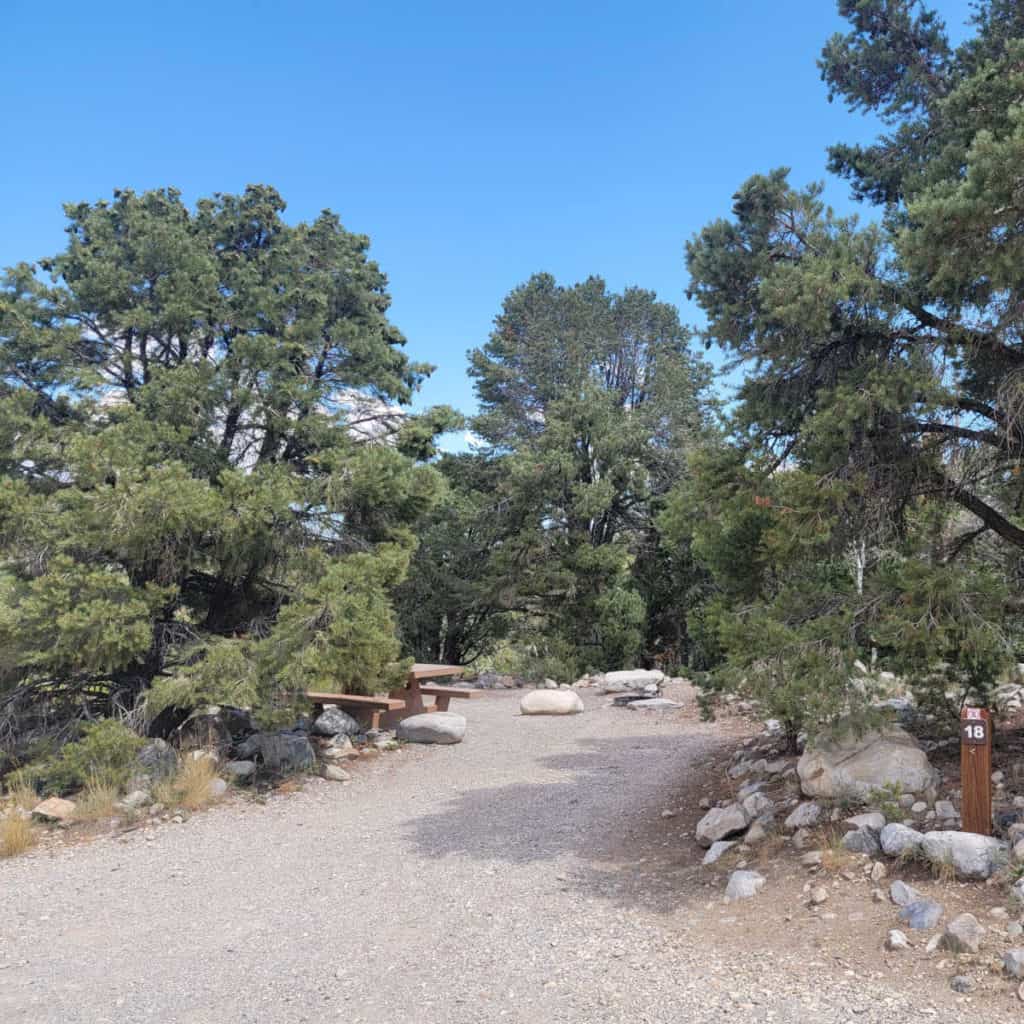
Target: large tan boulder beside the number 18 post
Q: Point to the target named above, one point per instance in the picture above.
(856, 766)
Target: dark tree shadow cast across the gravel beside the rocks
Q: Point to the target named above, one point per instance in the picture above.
(609, 818)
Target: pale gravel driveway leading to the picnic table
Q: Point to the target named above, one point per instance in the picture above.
(525, 876)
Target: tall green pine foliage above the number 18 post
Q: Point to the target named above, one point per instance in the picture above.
(869, 502)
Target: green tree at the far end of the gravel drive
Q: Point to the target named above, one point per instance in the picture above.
(591, 403)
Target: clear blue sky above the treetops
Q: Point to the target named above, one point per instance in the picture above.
(476, 144)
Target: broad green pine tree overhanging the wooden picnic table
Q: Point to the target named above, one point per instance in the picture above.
(208, 484)
